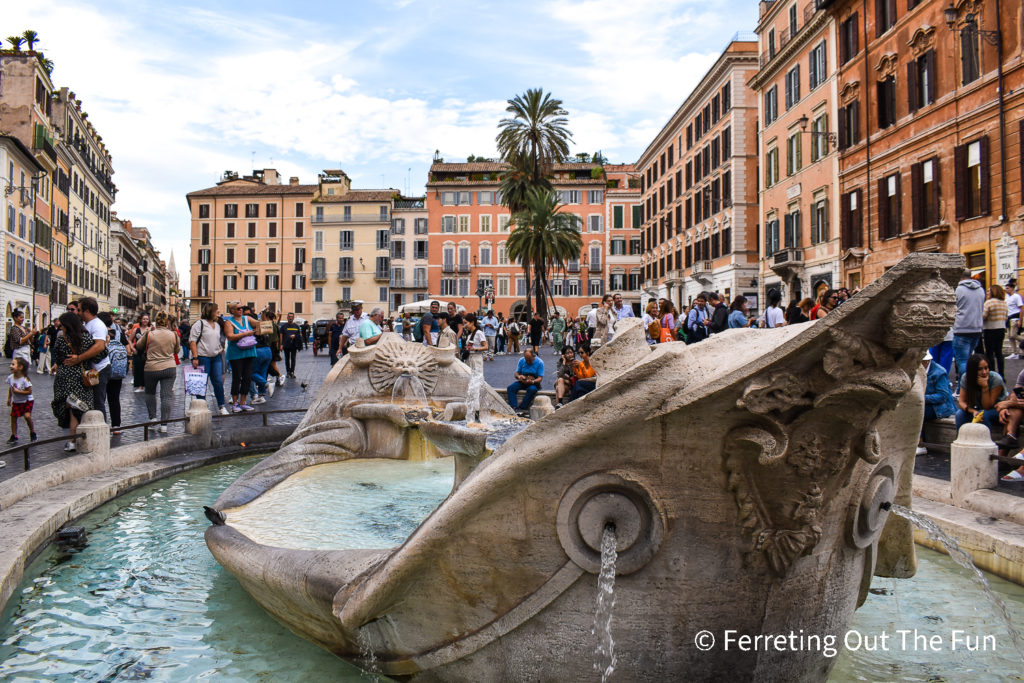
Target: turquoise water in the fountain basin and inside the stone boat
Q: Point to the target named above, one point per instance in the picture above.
(145, 600)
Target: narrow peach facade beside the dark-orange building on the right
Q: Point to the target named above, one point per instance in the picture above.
(797, 93)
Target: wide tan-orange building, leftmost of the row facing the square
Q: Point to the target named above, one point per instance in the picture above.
(251, 242)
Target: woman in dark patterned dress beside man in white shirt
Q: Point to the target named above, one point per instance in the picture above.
(72, 398)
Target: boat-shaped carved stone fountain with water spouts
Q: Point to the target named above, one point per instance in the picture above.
(747, 481)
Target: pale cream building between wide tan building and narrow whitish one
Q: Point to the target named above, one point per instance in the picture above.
(351, 249)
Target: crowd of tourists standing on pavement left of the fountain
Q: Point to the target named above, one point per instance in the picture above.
(91, 354)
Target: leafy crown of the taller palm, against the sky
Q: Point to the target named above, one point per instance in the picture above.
(536, 137)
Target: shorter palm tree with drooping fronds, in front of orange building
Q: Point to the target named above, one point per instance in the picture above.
(543, 240)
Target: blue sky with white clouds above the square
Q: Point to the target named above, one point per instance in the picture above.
(183, 93)
